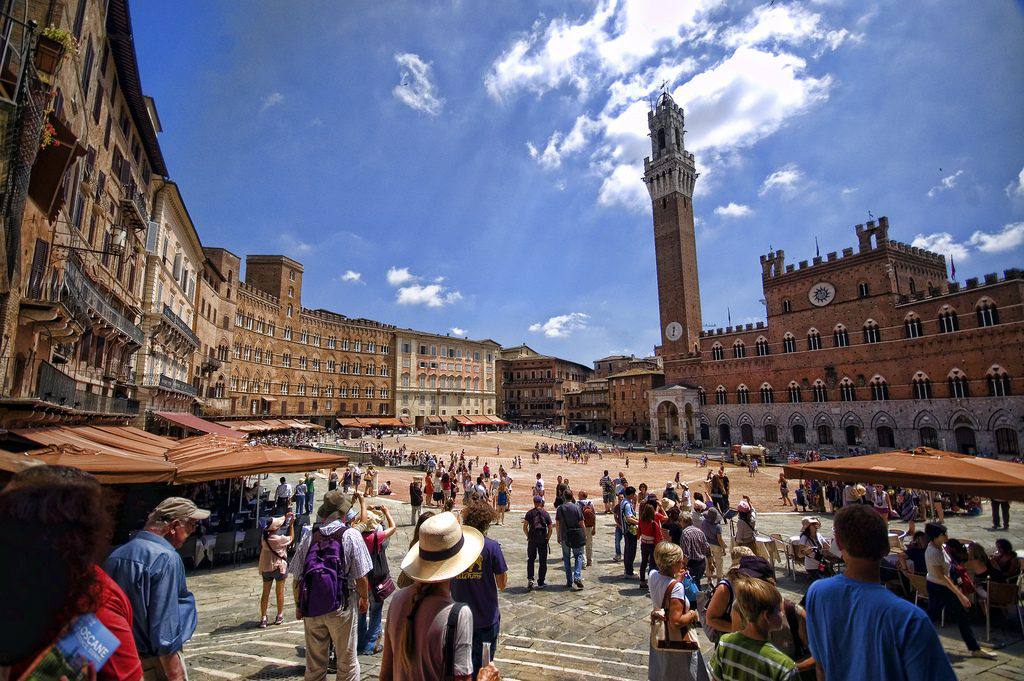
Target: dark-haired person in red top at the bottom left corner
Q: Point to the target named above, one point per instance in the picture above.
(54, 521)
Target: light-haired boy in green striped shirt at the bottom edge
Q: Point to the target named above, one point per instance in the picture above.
(747, 655)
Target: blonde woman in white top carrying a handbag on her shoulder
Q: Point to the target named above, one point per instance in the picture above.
(671, 607)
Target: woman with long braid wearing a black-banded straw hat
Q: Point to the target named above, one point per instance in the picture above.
(429, 635)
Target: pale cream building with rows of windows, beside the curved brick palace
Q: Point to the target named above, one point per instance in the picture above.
(443, 376)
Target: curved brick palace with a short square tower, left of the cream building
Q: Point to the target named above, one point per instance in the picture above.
(291, 361)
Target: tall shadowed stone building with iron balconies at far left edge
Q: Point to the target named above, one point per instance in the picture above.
(75, 219)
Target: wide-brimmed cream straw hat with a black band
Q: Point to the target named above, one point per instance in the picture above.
(446, 549)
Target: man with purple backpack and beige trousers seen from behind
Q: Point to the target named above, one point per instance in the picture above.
(330, 570)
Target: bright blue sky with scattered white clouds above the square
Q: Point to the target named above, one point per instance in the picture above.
(476, 166)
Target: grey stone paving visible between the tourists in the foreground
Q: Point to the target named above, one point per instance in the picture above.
(601, 633)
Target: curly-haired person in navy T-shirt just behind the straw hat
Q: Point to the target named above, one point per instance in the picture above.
(480, 584)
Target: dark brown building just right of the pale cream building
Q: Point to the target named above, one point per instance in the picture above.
(534, 387)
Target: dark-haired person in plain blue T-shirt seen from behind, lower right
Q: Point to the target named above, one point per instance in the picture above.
(858, 629)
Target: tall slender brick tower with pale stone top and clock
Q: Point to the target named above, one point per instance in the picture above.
(670, 177)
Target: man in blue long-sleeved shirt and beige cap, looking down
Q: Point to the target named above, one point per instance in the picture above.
(152, 575)
